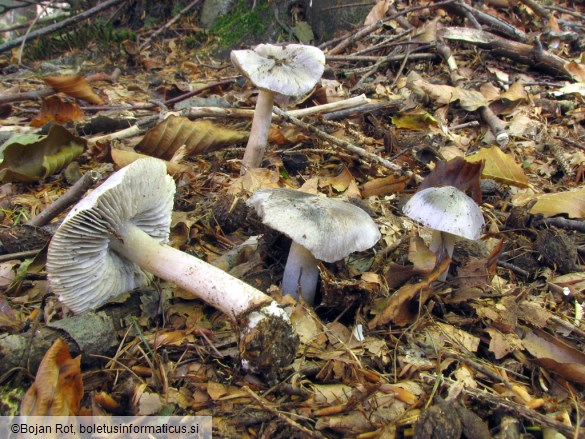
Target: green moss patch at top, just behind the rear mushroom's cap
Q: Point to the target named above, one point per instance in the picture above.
(240, 23)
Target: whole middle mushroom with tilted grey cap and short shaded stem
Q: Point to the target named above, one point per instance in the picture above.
(320, 228)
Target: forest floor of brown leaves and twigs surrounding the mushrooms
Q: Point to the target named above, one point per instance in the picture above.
(488, 100)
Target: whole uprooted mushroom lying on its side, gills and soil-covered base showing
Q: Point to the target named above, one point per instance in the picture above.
(115, 237)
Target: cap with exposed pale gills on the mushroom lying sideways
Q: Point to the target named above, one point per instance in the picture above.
(82, 267)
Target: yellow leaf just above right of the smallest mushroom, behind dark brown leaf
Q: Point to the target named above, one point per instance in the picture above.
(499, 166)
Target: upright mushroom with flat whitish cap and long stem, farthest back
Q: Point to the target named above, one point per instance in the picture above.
(291, 70)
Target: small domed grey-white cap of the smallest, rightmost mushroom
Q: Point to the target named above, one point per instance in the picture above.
(446, 209)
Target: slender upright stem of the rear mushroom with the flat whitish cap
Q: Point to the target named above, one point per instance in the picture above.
(259, 132)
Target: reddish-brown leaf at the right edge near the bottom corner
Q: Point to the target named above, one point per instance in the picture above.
(555, 355)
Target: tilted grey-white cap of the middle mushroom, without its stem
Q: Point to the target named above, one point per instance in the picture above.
(330, 229)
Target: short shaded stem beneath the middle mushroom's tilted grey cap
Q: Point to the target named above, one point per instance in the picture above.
(301, 273)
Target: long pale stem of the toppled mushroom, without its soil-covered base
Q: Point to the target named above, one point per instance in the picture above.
(216, 287)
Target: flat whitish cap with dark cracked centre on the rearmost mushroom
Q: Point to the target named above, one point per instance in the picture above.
(291, 70)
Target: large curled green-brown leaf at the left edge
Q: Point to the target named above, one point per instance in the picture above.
(30, 157)
